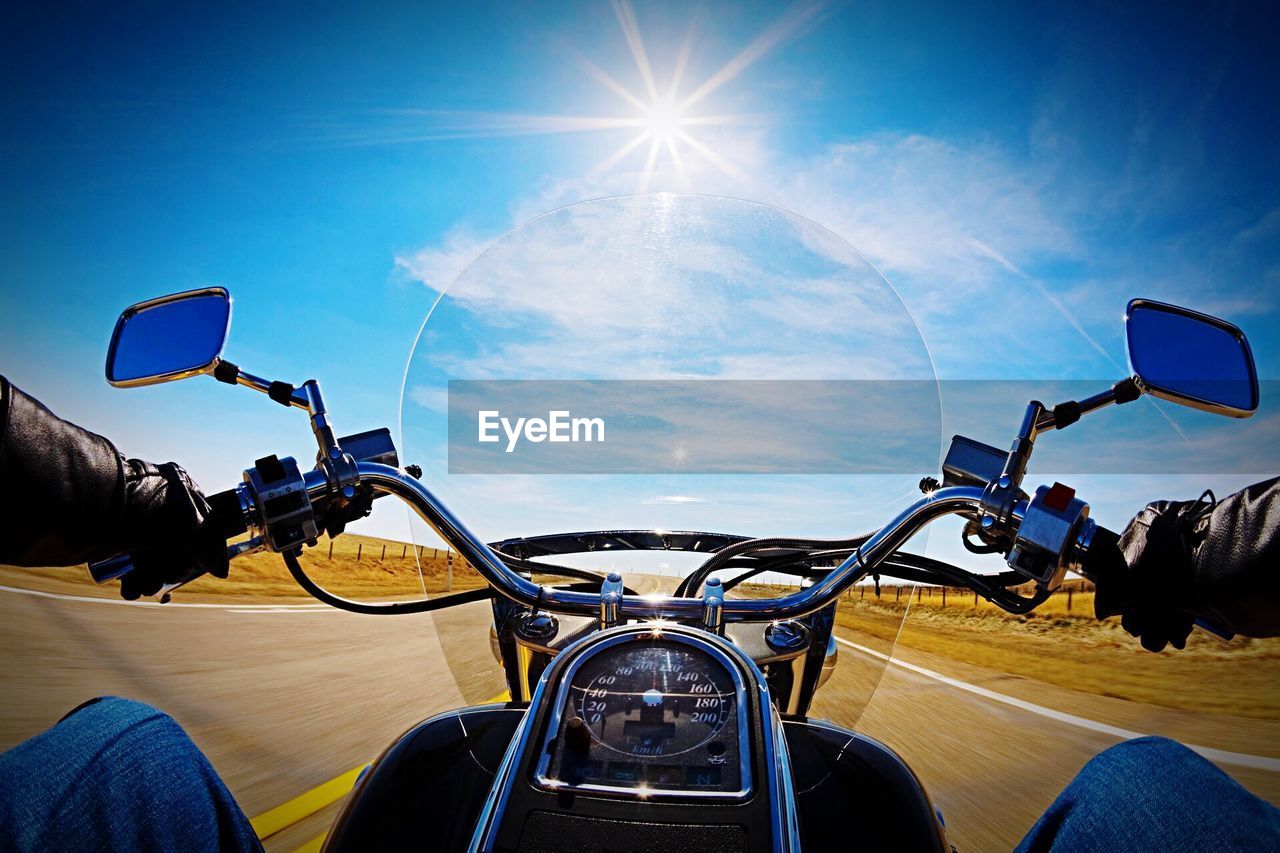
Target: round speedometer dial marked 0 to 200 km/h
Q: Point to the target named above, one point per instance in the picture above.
(653, 703)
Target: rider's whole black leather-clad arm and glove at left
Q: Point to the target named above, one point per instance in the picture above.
(79, 500)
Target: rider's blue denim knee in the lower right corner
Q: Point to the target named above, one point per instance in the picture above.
(1155, 795)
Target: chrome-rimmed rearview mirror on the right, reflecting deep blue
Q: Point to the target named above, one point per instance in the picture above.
(1191, 359)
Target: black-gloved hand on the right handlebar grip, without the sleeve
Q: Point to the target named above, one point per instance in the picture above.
(1151, 581)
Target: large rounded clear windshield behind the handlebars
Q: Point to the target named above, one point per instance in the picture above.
(675, 364)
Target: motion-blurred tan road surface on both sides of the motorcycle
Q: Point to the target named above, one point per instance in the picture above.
(284, 700)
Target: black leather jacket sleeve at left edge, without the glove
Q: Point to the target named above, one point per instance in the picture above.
(65, 487)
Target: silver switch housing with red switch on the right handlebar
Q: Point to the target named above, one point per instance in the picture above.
(1046, 542)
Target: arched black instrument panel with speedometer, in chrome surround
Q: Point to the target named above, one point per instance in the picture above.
(653, 717)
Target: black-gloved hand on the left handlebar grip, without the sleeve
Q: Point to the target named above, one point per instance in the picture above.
(166, 521)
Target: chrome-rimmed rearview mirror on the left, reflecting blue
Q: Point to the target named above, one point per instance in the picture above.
(171, 337)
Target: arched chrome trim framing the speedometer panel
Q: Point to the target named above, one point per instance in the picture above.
(724, 654)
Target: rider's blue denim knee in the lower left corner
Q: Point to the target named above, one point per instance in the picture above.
(117, 776)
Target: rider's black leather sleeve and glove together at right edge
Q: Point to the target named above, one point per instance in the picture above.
(1182, 560)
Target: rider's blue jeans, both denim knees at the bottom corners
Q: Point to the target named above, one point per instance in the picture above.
(121, 776)
